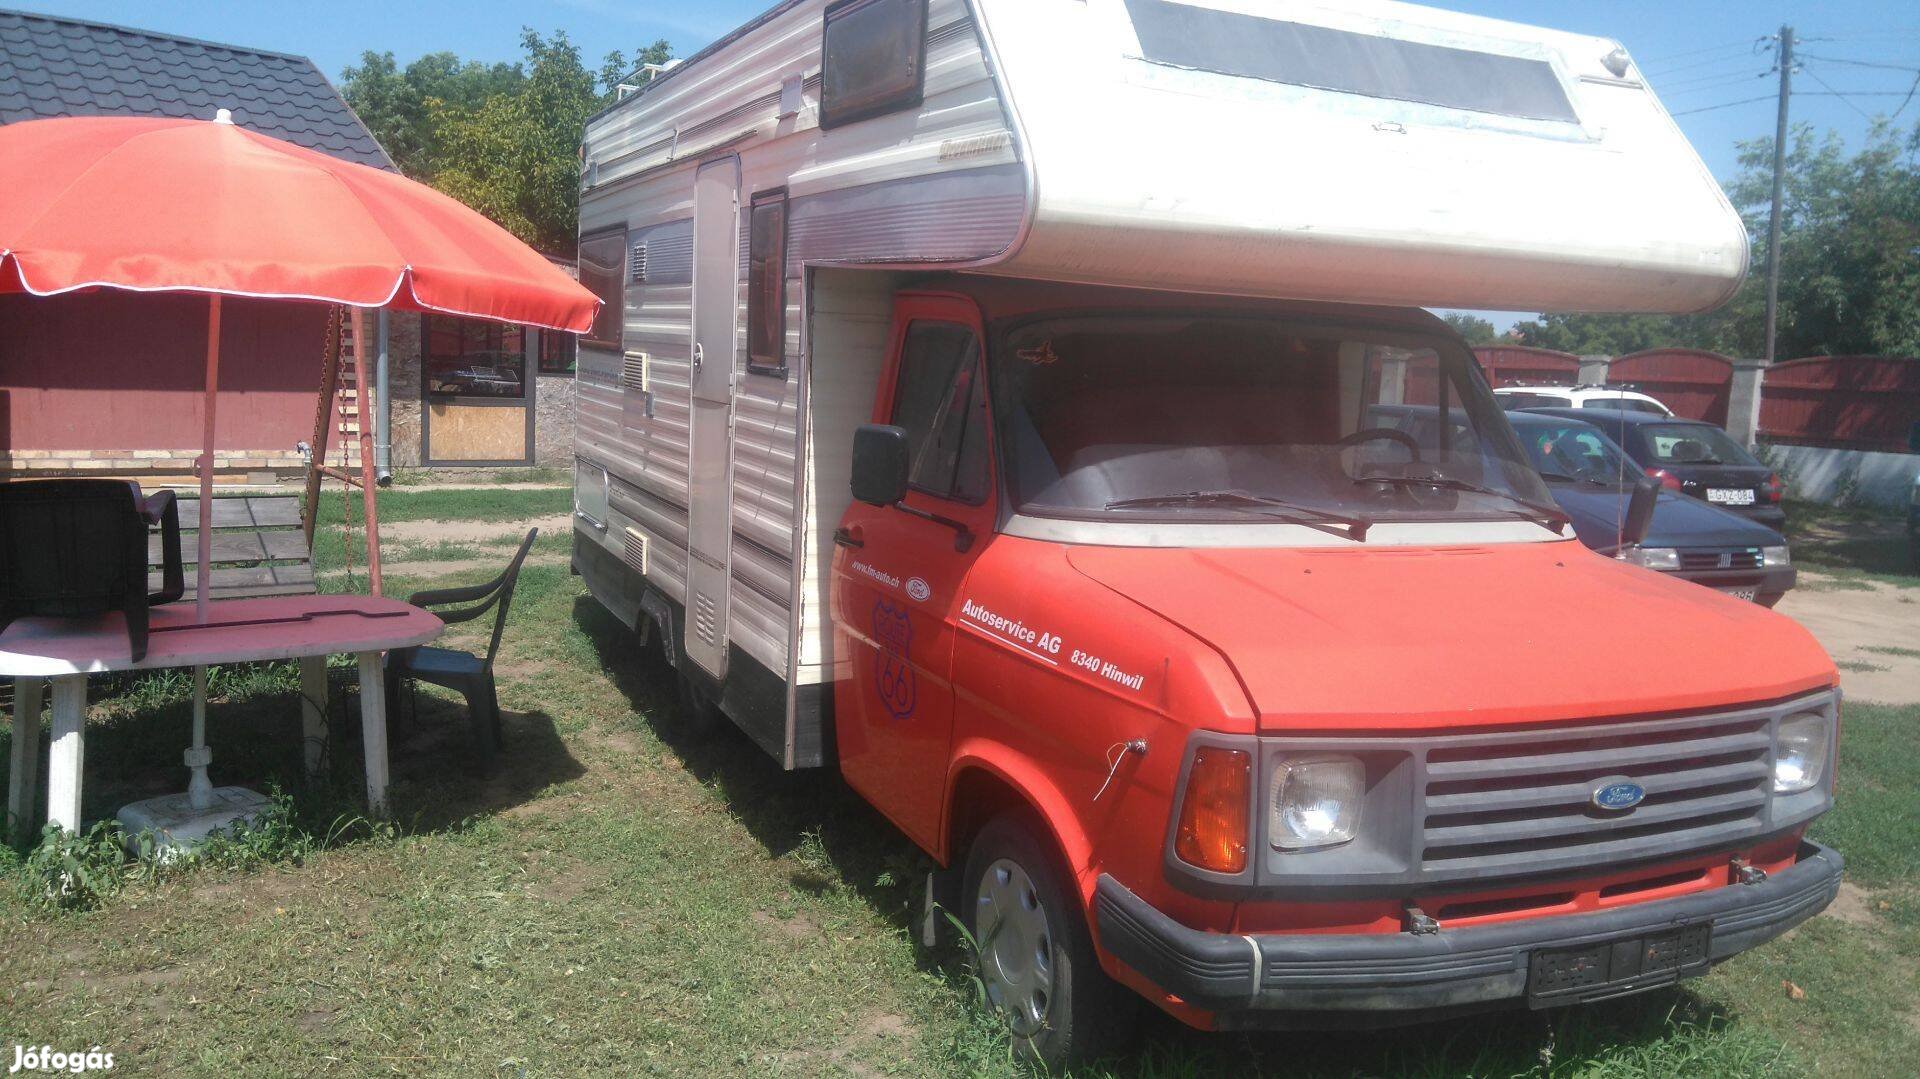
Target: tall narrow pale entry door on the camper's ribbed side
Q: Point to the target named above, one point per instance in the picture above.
(709, 437)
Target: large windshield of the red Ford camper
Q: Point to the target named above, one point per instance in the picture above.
(1230, 418)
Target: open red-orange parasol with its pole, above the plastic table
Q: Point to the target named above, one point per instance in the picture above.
(193, 206)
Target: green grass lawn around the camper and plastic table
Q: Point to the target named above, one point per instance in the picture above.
(610, 901)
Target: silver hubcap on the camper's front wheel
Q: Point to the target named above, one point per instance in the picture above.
(1017, 951)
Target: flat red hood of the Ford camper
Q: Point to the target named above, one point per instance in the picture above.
(1401, 638)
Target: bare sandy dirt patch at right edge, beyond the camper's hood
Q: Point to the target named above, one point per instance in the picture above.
(1873, 633)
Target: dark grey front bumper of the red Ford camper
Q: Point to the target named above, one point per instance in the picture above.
(1420, 974)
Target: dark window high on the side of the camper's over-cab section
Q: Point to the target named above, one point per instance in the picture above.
(875, 59)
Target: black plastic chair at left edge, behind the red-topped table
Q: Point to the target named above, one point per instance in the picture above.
(78, 550)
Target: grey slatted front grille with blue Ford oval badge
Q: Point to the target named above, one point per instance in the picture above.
(1524, 802)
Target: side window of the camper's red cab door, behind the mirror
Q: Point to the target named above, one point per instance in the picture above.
(940, 402)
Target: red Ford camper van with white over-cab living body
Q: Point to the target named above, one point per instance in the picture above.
(959, 425)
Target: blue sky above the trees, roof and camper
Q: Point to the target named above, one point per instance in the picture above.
(1698, 55)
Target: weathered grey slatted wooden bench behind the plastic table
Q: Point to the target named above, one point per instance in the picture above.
(258, 548)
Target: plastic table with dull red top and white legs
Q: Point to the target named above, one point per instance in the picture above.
(308, 629)
